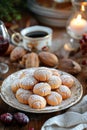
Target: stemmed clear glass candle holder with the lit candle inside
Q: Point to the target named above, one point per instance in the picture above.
(76, 24)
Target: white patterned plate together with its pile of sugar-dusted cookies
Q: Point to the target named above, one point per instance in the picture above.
(41, 90)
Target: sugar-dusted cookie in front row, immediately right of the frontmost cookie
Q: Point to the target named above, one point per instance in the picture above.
(54, 99)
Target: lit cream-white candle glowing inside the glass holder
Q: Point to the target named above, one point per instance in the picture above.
(78, 25)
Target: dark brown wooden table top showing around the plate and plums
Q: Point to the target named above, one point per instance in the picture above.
(36, 120)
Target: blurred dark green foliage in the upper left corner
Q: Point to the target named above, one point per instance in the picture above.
(11, 9)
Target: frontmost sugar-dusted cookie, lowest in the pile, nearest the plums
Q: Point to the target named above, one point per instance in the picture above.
(36, 102)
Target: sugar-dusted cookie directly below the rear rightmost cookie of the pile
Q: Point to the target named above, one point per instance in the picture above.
(64, 91)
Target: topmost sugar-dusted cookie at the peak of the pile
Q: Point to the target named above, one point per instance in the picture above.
(42, 74)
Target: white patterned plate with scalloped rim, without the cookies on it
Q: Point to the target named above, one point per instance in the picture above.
(9, 98)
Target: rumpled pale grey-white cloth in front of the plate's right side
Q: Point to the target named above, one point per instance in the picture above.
(74, 119)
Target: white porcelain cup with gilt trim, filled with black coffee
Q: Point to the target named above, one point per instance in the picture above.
(36, 37)
